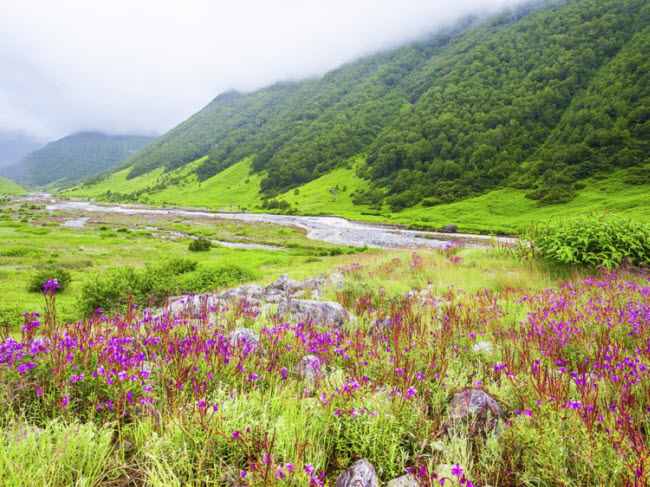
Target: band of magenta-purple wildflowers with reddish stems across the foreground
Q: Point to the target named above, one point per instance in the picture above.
(583, 349)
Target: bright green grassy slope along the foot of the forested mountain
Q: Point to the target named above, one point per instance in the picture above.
(504, 210)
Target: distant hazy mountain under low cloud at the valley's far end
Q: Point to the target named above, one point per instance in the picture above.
(74, 158)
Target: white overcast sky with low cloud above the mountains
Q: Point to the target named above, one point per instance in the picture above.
(142, 66)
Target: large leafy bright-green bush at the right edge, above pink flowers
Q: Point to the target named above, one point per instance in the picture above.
(593, 241)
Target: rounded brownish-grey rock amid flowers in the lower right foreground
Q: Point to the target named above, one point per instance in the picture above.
(473, 411)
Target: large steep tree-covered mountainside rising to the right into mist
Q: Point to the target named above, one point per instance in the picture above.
(540, 101)
